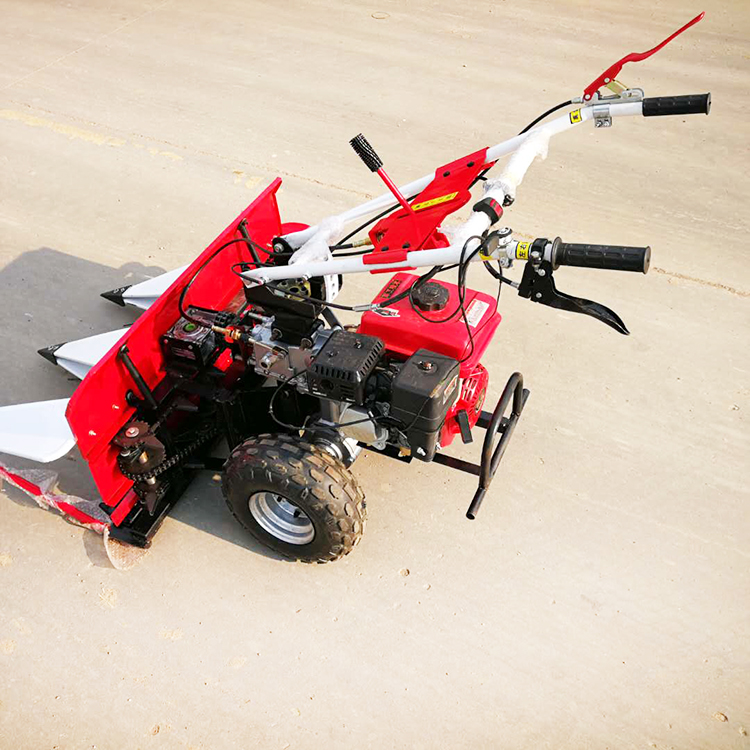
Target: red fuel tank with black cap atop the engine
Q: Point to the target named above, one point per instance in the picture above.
(404, 330)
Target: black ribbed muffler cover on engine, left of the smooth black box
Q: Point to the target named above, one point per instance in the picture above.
(343, 365)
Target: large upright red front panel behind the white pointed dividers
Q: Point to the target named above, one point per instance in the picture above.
(98, 409)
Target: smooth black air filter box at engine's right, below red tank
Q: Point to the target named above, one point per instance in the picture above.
(423, 392)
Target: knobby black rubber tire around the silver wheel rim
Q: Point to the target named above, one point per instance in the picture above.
(312, 479)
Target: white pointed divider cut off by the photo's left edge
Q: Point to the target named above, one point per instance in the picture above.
(37, 431)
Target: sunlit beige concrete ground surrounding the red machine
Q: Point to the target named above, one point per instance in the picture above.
(602, 598)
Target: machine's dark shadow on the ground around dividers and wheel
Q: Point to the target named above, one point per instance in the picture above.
(54, 297)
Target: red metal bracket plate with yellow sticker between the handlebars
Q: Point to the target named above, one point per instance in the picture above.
(417, 229)
